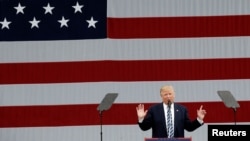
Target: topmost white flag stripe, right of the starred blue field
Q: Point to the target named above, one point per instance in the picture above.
(176, 8)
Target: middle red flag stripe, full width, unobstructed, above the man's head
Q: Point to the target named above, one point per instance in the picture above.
(143, 70)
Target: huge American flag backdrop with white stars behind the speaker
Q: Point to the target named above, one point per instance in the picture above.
(58, 59)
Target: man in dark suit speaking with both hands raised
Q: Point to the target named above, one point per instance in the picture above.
(156, 116)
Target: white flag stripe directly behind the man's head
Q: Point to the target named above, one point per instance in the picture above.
(129, 92)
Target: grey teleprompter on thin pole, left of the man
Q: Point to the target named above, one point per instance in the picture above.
(106, 103)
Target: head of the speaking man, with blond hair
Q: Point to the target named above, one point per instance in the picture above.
(167, 94)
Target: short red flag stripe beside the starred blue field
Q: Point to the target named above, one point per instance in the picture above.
(179, 27)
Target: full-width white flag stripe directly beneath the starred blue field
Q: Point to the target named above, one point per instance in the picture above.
(108, 49)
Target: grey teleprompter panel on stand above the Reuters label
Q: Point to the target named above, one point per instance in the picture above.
(229, 101)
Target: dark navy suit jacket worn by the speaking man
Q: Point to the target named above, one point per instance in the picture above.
(155, 119)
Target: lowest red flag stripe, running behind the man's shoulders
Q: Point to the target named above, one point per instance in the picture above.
(70, 115)
